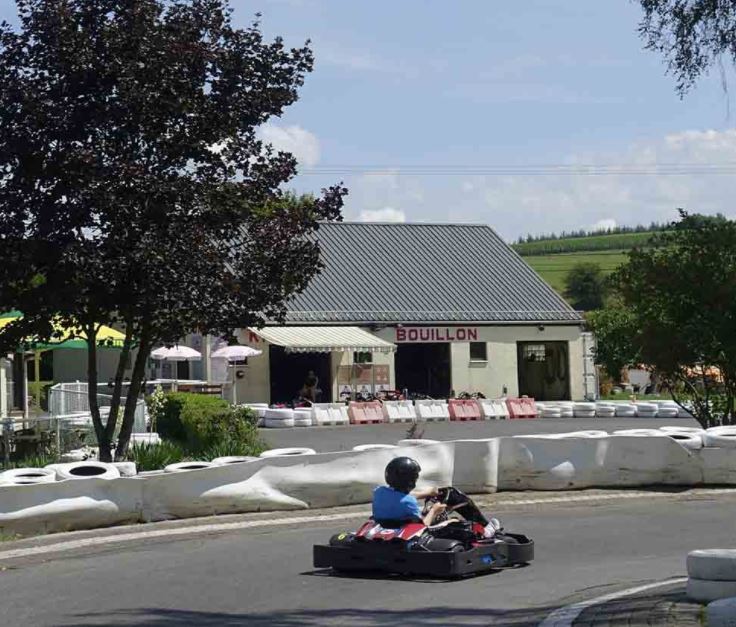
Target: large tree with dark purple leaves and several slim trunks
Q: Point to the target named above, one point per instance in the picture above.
(133, 188)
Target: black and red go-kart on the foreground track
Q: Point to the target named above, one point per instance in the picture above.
(449, 548)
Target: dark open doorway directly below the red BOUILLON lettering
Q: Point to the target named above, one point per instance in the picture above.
(423, 369)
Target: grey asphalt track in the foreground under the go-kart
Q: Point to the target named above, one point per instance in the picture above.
(263, 576)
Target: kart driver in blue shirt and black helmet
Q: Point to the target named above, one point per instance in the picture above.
(393, 505)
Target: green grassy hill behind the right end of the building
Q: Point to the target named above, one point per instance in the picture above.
(553, 258)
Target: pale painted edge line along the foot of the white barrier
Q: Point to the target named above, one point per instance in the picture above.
(71, 545)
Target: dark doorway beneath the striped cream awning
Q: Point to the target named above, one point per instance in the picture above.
(288, 372)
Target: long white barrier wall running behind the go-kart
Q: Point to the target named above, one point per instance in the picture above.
(299, 478)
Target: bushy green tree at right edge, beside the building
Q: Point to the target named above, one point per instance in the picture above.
(678, 315)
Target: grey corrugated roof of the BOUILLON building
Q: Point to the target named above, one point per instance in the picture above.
(414, 273)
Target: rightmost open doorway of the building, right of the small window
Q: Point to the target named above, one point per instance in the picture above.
(544, 370)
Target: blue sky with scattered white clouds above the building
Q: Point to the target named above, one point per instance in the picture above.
(436, 111)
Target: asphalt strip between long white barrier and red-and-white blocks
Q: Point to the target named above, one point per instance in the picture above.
(326, 439)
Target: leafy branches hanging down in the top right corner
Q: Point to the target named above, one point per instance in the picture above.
(692, 35)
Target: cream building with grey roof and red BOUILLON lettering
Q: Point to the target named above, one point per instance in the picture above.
(436, 309)
